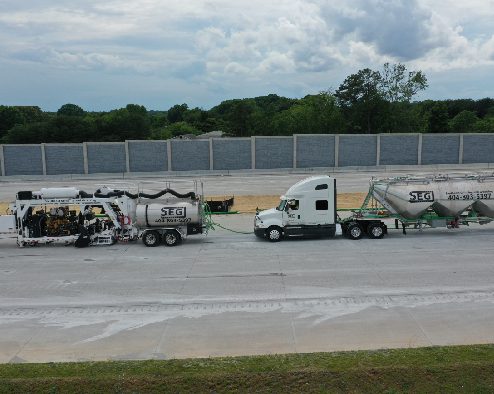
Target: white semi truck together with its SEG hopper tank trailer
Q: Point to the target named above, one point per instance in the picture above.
(309, 208)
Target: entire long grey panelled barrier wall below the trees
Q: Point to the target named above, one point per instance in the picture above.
(262, 153)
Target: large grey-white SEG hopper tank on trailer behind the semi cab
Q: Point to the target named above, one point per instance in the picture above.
(448, 196)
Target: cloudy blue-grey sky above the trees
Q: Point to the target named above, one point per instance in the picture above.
(103, 55)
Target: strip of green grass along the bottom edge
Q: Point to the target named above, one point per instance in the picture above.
(424, 370)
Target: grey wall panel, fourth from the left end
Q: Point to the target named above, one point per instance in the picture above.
(148, 156)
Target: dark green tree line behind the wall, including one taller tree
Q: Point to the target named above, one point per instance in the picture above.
(366, 102)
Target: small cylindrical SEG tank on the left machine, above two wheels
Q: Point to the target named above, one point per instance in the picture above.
(167, 214)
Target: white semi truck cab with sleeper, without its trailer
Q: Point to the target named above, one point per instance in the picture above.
(307, 209)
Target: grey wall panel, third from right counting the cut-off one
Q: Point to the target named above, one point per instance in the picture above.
(399, 149)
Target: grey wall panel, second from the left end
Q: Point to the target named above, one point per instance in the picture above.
(64, 159)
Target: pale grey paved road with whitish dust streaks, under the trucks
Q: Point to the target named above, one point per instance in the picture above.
(232, 294)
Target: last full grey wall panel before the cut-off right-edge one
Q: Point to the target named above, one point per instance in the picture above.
(440, 149)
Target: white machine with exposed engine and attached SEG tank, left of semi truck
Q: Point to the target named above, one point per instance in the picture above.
(69, 215)
